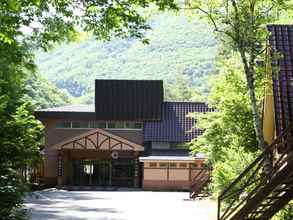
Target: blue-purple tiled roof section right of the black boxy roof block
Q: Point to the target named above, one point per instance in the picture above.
(175, 126)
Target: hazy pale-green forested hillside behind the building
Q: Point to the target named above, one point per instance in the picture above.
(180, 50)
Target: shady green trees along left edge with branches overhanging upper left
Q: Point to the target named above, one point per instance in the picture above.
(26, 26)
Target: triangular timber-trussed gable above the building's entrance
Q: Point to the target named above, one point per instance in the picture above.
(98, 139)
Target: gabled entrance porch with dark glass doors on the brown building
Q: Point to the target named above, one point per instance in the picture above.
(98, 158)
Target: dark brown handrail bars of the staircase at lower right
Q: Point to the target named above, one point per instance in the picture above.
(256, 167)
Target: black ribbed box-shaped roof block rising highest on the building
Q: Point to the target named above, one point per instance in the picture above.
(128, 99)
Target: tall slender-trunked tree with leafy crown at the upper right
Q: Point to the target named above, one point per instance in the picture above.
(241, 25)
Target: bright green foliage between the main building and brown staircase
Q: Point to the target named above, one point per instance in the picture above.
(229, 138)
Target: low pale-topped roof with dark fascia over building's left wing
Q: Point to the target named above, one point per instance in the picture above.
(68, 112)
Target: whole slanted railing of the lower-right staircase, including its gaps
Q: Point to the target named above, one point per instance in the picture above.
(253, 178)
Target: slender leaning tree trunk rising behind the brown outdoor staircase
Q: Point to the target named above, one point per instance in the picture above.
(249, 73)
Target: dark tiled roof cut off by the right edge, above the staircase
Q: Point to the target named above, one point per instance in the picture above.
(281, 41)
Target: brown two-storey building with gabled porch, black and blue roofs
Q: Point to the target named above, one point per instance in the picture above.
(129, 138)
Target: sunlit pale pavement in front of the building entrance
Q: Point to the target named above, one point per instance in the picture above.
(117, 205)
